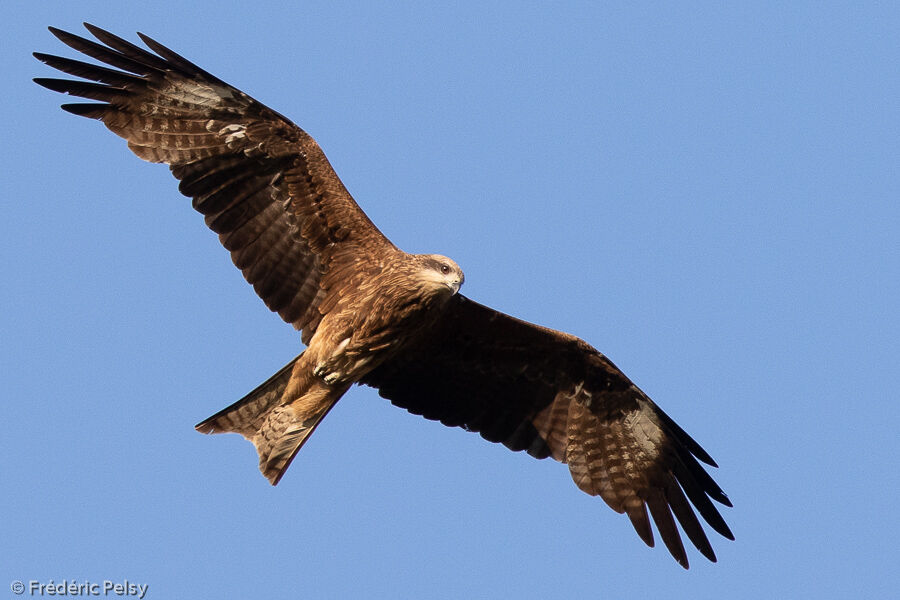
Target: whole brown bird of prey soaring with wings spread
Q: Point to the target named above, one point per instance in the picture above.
(369, 313)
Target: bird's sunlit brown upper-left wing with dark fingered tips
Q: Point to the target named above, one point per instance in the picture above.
(262, 183)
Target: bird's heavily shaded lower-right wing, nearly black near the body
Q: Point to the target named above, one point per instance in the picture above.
(551, 394)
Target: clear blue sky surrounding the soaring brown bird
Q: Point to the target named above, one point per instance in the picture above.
(708, 195)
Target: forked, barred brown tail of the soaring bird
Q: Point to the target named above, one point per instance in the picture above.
(278, 416)
